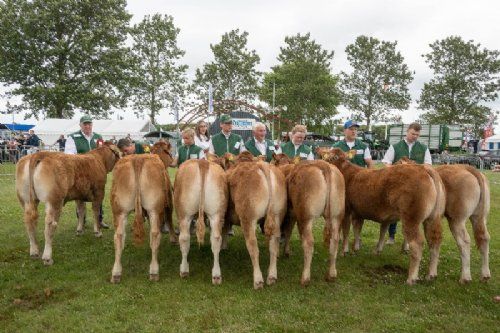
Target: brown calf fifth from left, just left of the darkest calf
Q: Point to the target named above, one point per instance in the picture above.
(317, 189)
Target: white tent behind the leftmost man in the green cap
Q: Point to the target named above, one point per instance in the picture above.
(49, 130)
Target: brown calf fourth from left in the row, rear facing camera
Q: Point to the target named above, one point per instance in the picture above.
(257, 190)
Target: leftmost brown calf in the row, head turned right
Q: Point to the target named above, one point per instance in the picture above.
(56, 178)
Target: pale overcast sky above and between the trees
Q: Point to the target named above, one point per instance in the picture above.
(334, 24)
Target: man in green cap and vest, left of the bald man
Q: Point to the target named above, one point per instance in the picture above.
(226, 141)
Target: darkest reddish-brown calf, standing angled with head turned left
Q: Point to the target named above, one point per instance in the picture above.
(413, 194)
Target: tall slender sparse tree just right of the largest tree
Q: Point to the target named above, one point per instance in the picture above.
(157, 78)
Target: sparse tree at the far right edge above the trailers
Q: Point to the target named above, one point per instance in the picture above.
(465, 76)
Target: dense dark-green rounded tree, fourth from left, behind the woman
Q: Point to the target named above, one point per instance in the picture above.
(306, 91)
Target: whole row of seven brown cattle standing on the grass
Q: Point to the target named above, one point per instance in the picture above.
(243, 190)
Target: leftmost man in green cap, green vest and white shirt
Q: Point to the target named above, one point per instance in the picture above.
(82, 142)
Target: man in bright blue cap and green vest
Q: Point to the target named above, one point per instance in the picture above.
(358, 152)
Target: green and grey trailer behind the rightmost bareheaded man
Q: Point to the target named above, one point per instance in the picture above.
(436, 137)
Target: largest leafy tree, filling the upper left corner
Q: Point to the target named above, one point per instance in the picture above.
(62, 55)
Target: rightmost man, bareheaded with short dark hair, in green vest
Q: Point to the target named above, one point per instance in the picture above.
(408, 147)
